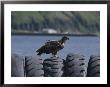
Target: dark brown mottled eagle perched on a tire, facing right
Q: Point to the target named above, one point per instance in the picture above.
(52, 46)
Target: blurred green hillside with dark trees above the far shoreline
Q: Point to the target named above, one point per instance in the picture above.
(73, 22)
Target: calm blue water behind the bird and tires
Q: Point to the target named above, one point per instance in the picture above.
(27, 45)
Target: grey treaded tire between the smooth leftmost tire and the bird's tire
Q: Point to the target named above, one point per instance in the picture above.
(34, 66)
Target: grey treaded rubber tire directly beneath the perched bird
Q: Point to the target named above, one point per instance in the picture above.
(53, 67)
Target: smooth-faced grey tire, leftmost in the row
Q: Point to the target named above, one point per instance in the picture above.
(17, 65)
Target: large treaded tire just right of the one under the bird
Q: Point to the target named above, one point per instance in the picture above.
(75, 66)
